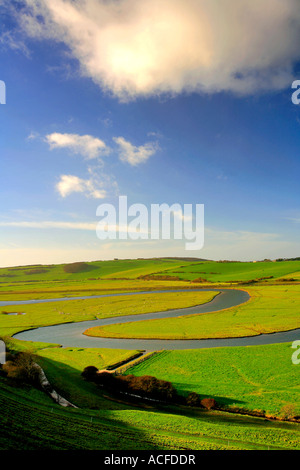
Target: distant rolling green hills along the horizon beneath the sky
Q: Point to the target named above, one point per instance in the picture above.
(125, 275)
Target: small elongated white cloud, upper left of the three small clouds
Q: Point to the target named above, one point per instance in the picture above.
(86, 145)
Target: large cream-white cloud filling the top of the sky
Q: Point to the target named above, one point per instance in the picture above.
(146, 47)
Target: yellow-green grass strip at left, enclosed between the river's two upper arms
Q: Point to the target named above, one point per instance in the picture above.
(51, 313)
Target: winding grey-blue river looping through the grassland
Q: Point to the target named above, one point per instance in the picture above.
(71, 334)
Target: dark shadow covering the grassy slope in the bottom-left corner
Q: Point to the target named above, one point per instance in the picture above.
(92, 425)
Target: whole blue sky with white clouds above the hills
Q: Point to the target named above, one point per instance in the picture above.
(162, 101)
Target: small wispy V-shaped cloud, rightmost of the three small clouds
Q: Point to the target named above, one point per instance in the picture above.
(135, 155)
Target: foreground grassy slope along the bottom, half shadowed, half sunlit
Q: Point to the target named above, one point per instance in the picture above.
(30, 421)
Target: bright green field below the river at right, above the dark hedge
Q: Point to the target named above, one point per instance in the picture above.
(256, 378)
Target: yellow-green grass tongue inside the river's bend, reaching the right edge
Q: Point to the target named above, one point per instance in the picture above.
(270, 309)
